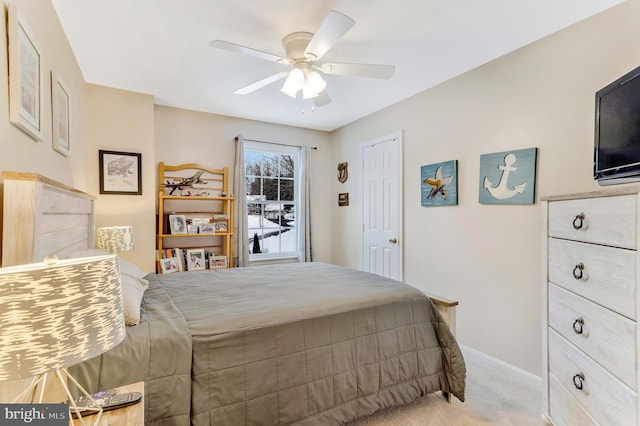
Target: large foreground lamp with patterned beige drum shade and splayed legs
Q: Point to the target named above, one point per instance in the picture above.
(56, 314)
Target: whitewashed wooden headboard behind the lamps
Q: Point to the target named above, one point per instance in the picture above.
(43, 217)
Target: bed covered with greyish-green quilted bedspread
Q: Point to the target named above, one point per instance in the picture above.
(303, 343)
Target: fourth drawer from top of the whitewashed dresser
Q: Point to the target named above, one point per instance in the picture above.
(606, 398)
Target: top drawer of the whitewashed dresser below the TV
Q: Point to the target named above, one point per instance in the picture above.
(608, 220)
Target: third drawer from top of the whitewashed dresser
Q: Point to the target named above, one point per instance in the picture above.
(605, 336)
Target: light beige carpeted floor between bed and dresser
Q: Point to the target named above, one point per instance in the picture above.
(491, 399)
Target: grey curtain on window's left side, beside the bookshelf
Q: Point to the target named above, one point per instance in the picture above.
(240, 232)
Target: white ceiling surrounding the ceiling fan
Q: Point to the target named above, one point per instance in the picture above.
(160, 47)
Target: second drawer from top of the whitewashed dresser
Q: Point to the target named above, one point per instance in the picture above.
(599, 273)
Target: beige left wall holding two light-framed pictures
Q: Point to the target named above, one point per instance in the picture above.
(18, 151)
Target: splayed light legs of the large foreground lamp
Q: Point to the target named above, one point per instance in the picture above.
(62, 375)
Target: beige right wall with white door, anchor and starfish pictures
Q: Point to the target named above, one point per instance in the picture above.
(489, 256)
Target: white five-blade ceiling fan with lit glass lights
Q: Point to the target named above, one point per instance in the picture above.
(304, 50)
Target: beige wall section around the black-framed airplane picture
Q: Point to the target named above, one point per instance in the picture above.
(123, 121)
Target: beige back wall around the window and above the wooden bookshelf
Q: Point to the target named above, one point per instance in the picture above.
(186, 137)
